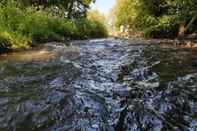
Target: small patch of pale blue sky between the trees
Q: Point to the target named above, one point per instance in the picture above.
(103, 6)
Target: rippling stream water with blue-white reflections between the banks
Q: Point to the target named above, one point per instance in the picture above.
(99, 85)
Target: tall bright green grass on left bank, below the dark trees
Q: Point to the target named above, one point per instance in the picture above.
(22, 27)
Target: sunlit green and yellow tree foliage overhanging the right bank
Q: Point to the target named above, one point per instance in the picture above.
(156, 18)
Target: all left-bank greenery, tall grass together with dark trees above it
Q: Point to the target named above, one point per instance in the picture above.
(24, 23)
